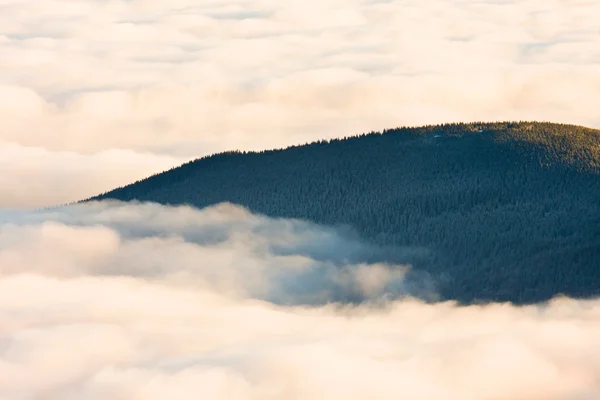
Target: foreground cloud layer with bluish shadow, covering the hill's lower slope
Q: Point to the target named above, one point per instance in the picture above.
(147, 302)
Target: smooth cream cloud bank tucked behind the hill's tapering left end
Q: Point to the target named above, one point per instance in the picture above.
(36, 177)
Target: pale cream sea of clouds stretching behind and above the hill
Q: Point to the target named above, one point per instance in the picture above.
(174, 80)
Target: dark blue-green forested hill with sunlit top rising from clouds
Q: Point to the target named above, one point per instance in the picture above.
(505, 211)
